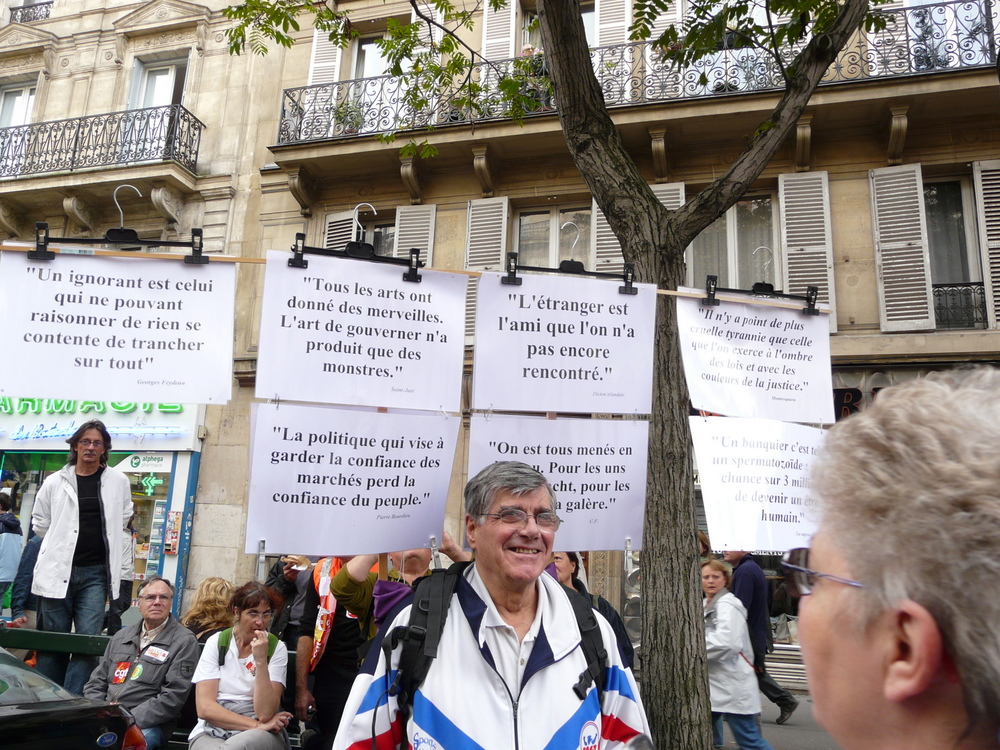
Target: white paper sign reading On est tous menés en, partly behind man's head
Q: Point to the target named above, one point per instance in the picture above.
(597, 469)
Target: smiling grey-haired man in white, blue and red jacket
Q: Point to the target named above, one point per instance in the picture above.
(511, 655)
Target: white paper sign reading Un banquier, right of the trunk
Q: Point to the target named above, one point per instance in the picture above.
(755, 481)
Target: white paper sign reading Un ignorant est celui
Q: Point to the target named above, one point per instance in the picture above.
(116, 329)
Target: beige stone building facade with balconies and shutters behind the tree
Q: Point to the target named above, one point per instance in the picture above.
(887, 196)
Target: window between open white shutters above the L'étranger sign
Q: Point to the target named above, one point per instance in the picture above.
(547, 236)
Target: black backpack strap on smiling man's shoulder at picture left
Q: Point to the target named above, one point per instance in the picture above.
(421, 637)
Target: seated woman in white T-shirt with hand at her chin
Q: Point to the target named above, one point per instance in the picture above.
(240, 678)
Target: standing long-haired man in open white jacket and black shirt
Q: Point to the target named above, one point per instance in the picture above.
(80, 512)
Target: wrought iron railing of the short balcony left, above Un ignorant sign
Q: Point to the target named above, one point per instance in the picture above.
(169, 133)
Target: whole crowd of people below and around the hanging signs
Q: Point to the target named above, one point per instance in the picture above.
(895, 656)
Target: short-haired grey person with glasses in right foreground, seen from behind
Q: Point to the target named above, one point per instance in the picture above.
(901, 585)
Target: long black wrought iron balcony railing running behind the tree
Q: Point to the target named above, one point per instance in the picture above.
(944, 36)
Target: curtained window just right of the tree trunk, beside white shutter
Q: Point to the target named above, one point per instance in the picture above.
(739, 247)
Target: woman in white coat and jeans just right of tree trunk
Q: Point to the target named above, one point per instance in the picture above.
(732, 682)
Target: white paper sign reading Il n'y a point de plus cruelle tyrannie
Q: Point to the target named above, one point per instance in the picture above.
(746, 360)
